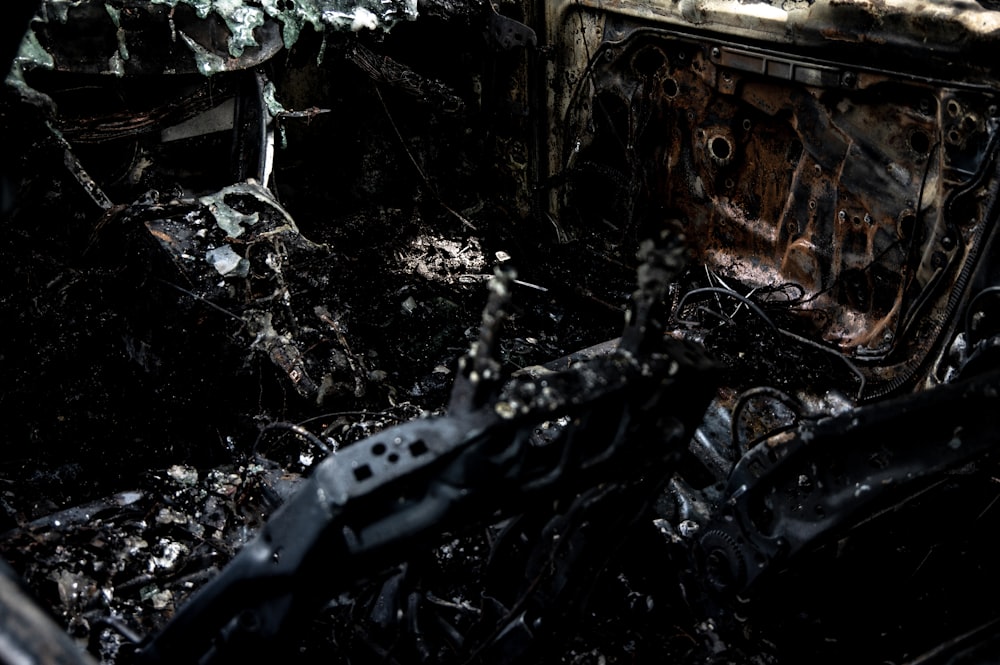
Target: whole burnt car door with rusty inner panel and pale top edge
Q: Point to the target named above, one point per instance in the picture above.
(838, 178)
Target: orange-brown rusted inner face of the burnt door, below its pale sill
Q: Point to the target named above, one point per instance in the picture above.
(784, 172)
